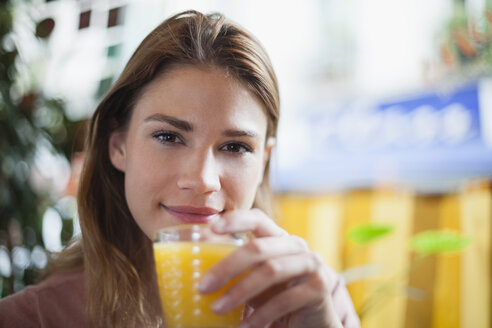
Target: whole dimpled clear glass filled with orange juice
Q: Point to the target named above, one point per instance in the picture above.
(182, 255)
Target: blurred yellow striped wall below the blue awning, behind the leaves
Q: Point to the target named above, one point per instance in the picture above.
(439, 291)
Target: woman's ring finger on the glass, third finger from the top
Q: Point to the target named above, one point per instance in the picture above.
(270, 272)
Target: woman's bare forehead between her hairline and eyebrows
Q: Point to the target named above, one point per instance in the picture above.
(190, 92)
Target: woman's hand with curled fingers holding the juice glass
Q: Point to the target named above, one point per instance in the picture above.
(286, 283)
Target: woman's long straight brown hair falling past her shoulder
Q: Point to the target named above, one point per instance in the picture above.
(115, 252)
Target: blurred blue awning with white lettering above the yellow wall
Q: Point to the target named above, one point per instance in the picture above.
(431, 142)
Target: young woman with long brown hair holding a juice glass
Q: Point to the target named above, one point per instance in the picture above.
(184, 135)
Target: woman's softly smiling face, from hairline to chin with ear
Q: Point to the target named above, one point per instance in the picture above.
(195, 147)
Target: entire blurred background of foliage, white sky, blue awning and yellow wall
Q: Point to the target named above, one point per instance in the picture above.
(384, 156)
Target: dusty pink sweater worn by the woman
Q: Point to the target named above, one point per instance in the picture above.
(59, 302)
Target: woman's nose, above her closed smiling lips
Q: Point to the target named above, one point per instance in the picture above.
(200, 173)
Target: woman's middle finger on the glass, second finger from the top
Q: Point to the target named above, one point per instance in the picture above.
(248, 256)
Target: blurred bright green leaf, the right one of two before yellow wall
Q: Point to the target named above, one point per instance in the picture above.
(438, 241)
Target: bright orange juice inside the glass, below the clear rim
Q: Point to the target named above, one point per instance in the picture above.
(179, 267)
